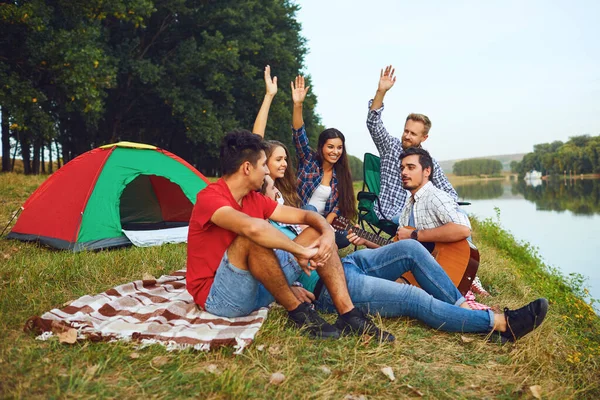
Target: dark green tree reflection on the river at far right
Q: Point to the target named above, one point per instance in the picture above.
(582, 197)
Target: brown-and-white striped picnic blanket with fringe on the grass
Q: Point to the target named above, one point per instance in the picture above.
(149, 311)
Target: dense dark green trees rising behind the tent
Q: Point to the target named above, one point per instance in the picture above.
(177, 74)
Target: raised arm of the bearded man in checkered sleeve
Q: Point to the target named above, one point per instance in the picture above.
(380, 135)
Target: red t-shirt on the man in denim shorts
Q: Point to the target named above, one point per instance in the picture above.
(208, 242)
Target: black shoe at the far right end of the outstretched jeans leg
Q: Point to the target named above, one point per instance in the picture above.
(522, 321)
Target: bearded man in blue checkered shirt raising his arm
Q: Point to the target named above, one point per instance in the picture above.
(393, 196)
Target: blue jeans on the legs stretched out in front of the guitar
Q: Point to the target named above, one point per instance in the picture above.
(371, 275)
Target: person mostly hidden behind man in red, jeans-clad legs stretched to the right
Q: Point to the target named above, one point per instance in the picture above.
(371, 279)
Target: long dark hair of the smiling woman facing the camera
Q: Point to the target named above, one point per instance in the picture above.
(342, 171)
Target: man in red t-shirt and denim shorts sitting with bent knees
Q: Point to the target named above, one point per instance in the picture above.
(238, 262)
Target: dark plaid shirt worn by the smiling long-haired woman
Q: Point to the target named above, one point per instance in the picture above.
(310, 173)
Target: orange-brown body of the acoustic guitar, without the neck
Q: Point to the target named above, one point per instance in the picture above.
(459, 259)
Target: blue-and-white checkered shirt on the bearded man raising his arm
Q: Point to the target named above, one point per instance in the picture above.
(393, 196)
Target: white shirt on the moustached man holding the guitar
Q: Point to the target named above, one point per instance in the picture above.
(432, 208)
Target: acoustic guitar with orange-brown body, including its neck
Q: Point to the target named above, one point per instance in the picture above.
(459, 259)
